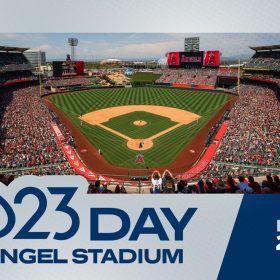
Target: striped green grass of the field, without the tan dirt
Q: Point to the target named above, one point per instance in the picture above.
(166, 147)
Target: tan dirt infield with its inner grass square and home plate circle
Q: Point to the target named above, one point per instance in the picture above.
(158, 124)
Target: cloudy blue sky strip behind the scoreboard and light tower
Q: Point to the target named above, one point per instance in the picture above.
(95, 46)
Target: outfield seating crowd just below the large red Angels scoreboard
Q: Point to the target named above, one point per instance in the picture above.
(188, 76)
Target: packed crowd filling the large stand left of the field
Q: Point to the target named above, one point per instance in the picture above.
(26, 139)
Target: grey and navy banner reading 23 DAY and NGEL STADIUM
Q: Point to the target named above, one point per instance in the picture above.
(50, 228)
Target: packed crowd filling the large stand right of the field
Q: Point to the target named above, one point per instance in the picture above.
(253, 135)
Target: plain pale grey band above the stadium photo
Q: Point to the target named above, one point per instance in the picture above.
(165, 16)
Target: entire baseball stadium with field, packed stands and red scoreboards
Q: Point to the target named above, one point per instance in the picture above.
(192, 126)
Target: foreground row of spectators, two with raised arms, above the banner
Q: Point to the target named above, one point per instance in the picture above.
(167, 184)
